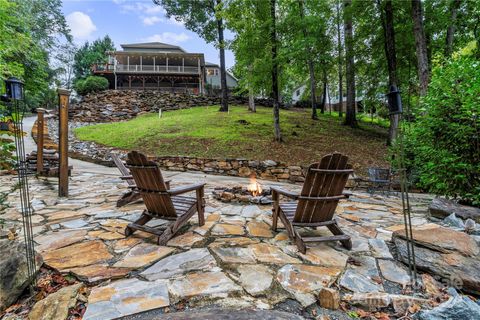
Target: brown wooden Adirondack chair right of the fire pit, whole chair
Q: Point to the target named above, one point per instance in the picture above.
(315, 205)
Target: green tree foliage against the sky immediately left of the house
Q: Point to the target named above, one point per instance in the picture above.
(89, 54)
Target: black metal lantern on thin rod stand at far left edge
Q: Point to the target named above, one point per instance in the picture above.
(13, 98)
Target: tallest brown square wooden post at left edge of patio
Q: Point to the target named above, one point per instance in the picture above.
(63, 96)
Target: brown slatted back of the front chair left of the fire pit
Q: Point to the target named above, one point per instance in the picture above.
(151, 185)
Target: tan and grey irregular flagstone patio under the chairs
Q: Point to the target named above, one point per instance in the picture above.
(234, 260)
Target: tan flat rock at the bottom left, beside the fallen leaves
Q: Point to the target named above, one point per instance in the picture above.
(56, 305)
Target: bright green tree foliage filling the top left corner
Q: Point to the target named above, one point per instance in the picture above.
(29, 30)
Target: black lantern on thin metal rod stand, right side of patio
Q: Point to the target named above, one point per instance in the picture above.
(395, 107)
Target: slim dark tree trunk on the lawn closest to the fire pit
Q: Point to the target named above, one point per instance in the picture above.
(275, 93)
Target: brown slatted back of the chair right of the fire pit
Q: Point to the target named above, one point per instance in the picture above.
(327, 183)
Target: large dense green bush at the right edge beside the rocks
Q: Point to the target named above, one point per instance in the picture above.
(443, 145)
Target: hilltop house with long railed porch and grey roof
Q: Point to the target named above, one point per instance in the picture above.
(154, 65)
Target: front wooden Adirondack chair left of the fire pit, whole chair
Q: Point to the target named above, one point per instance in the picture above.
(161, 202)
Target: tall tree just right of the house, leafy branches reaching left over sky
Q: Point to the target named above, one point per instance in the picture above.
(203, 17)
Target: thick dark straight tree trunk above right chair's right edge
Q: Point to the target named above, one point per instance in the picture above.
(350, 118)
